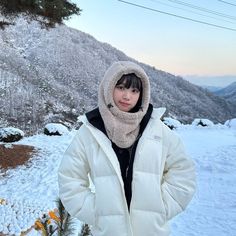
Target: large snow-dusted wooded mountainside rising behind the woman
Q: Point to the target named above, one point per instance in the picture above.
(53, 75)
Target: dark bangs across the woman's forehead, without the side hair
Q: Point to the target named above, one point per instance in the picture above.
(130, 80)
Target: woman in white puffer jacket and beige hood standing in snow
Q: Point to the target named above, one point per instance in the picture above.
(139, 168)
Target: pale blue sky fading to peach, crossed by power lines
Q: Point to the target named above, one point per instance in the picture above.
(169, 43)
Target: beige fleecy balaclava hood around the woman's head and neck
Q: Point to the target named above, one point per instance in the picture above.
(122, 127)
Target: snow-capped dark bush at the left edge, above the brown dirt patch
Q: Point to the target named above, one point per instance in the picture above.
(10, 134)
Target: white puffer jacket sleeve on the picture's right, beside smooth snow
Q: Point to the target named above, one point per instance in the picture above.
(178, 184)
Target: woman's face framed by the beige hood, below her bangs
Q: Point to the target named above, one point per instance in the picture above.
(125, 98)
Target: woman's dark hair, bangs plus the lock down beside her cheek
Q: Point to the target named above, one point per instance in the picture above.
(132, 81)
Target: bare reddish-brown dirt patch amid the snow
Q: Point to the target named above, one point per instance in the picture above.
(12, 155)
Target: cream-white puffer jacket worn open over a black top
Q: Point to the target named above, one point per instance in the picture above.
(163, 181)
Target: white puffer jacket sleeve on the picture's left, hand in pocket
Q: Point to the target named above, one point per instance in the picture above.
(73, 180)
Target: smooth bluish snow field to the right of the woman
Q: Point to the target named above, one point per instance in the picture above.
(212, 211)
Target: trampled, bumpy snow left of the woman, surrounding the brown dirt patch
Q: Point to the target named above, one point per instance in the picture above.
(30, 191)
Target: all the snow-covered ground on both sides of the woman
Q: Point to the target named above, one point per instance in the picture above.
(32, 190)
